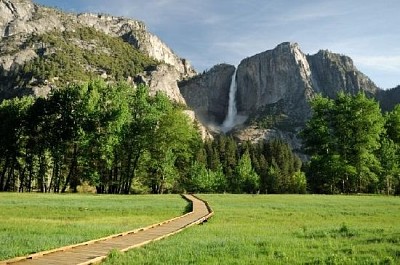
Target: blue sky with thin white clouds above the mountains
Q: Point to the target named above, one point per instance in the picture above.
(209, 32)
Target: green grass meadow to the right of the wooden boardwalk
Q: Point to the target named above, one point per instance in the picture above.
(283, 229)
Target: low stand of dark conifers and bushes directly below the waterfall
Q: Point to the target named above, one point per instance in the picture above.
(265, 167)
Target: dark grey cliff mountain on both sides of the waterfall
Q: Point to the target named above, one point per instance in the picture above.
(274, 89)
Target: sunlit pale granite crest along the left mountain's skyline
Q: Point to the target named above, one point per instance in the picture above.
(22, 17)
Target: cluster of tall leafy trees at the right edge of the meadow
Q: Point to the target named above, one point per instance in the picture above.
(353, 146)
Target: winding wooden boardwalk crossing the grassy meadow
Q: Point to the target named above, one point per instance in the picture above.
(93, 252)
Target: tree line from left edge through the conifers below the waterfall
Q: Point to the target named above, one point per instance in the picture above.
(120, 139)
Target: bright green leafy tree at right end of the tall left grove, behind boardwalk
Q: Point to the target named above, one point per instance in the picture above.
(172, 148)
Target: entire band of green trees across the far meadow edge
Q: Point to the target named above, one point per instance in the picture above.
(113, 138)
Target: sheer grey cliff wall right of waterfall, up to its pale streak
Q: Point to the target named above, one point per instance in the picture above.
(271, 76)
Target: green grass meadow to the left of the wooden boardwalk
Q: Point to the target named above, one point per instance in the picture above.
(35, 222)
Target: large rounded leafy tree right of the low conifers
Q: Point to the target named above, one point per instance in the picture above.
(342, 138)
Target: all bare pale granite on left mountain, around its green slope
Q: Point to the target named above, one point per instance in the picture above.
(22, 21)
